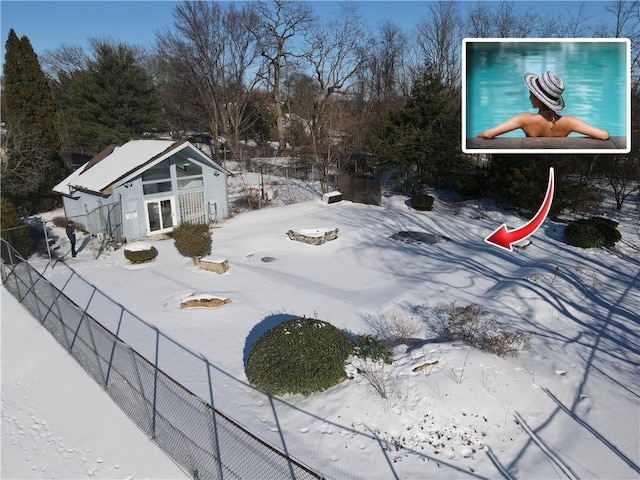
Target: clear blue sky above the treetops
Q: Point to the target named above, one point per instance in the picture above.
(49, 24)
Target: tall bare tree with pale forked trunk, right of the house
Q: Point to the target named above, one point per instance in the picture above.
(278, 27)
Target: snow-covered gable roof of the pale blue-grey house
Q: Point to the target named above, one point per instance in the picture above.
(115, 163)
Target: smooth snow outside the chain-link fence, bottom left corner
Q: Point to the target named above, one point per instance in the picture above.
(56, 421)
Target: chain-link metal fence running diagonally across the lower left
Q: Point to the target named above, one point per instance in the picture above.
(203, 441)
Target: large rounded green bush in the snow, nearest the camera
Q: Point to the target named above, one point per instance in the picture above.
(301, 355)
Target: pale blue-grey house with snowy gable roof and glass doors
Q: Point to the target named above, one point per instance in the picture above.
(145, 187)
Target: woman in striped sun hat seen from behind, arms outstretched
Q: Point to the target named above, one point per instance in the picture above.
(545, 95)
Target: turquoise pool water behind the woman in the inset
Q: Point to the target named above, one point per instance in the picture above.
(594, 75)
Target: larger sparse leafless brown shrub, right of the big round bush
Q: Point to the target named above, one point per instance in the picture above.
(470, 325)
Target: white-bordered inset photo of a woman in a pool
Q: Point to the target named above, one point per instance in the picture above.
(546, 95)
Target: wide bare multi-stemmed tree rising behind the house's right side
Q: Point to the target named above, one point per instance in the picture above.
(217, 53)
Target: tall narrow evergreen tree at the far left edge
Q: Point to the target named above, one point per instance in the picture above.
(31, 163)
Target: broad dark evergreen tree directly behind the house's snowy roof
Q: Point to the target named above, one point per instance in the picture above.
(112, 100)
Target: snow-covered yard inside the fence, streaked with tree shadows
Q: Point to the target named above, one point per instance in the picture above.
(570, 406)
